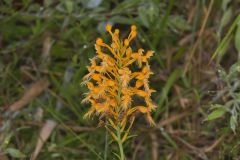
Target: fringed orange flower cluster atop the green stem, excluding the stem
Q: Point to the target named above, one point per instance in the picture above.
(114, 83)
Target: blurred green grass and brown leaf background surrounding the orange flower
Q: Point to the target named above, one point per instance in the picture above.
(45, 46)
